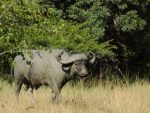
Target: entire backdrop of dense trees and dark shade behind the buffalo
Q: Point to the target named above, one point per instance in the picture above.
(113, 29)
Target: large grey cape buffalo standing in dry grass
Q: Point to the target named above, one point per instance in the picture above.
(52, 68)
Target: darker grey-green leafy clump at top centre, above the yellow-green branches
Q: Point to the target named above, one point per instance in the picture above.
(91, 14)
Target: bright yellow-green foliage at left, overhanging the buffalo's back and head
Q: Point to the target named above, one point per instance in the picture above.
(29, 28)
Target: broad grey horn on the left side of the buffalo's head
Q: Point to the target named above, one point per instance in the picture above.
(73, 58)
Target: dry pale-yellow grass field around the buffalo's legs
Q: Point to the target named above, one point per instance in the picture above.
(133, 98)
